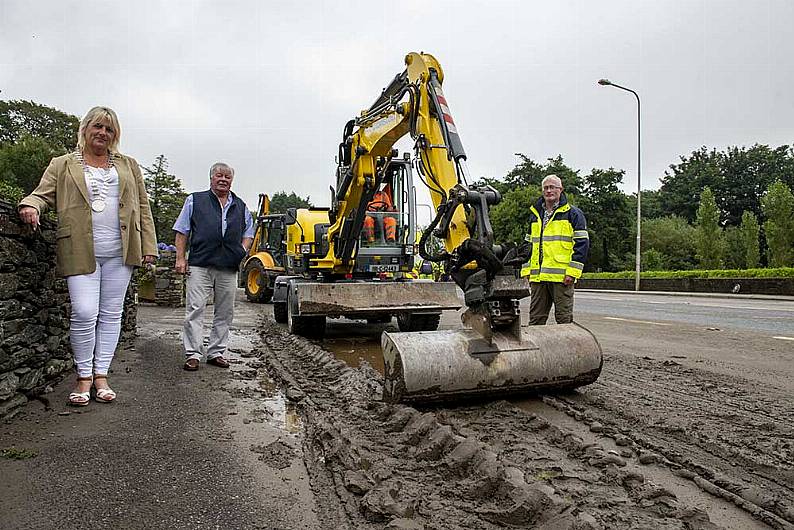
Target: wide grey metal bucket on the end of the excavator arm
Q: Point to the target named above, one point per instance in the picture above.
(446, 365)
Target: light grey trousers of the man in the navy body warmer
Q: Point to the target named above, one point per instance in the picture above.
(201, 281)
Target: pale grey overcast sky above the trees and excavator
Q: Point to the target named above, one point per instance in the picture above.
(267, 86)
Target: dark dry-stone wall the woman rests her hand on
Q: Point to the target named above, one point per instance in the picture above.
(34, 313)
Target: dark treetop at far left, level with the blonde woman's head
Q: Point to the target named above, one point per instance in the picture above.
(26, 118)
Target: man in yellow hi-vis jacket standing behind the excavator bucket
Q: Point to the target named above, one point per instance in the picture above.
(558, 235)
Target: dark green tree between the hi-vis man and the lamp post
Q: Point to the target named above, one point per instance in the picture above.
(608, 218)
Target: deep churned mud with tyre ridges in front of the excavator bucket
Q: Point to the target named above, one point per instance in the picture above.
(486, 465)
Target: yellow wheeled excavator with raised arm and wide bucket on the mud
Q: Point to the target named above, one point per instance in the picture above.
(493, 353)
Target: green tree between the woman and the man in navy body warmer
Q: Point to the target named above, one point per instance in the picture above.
(166, 197)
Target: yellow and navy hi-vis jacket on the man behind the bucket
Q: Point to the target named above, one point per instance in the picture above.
(560, 248)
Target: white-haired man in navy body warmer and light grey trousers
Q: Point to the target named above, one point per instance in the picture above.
(217, 229)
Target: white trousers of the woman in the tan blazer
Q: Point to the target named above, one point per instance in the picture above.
(97, 305)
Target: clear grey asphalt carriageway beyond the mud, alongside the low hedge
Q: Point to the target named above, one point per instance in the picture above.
(772, 316)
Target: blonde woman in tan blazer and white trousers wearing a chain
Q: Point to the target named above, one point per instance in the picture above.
(105, 228)
